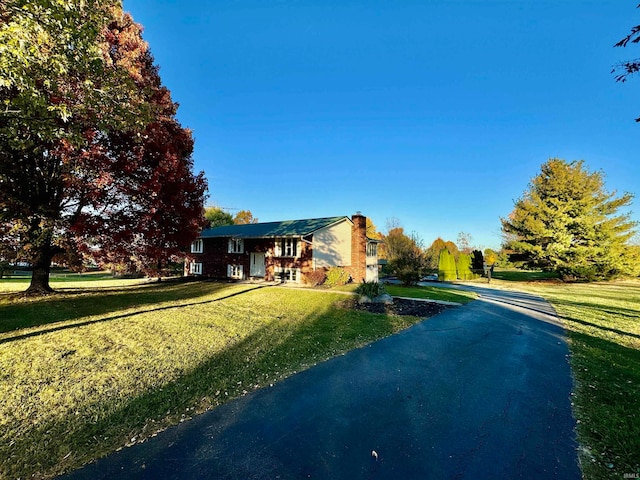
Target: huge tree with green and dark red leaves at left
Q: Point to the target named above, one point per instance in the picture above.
(91, 156)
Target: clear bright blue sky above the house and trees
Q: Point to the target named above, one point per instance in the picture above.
(437, 113)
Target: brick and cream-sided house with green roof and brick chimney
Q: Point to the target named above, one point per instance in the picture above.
(286, 251)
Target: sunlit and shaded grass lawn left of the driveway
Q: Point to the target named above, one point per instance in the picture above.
(99, 367)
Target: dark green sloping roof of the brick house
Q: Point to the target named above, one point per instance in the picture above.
(288, 228)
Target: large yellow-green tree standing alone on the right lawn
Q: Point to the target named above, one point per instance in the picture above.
(568, 223)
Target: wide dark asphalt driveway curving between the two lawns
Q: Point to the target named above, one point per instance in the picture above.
(479, 392)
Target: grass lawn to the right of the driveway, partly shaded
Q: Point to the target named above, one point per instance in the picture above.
(603, 325)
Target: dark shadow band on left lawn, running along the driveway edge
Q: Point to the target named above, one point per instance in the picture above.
(269, 354)
